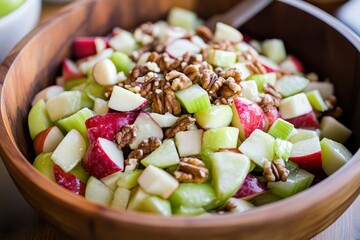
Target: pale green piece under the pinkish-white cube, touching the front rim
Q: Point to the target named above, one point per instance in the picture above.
(154, 204)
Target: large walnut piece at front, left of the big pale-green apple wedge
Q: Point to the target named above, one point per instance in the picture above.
(191, 170)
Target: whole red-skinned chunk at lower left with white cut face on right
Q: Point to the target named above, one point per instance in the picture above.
(103, 158)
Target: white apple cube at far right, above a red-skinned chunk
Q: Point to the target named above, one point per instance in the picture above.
(294, 106)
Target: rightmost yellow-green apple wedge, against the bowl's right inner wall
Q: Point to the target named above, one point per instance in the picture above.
(334, 155)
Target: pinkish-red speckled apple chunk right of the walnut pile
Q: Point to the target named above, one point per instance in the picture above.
(247, 116)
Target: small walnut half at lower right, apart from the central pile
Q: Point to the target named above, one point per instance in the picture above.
(275, 171)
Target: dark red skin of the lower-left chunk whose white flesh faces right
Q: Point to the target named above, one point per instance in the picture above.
(98, 163)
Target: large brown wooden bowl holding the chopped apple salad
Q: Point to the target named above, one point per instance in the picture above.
(326, 46)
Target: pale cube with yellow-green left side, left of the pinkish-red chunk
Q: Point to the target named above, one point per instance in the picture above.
(214, 116)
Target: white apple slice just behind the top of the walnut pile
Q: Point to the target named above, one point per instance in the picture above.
(179, 47)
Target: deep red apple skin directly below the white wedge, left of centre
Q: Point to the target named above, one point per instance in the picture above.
(108, 125)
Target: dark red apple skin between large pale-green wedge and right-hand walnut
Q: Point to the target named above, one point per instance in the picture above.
(250, 188)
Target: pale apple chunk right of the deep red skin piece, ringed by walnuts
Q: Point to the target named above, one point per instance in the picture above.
(145, 127)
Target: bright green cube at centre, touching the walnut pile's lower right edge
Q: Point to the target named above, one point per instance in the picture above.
(194, 98)
